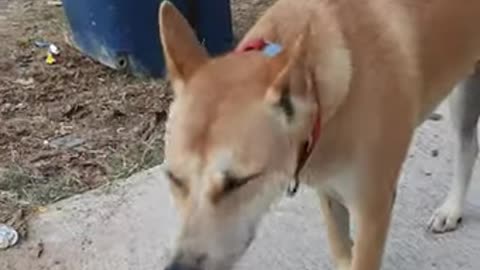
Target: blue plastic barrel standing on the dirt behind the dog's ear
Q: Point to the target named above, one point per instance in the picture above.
(124, 34)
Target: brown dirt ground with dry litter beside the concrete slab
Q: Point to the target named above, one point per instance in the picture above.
(74, 125)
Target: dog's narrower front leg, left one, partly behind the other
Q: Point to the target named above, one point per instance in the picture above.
(336, 217)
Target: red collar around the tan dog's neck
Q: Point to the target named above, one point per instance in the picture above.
(308, 146)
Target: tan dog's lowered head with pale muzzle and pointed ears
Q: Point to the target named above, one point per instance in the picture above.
(232, 143)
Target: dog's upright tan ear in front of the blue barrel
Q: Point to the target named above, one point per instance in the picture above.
(182, 51)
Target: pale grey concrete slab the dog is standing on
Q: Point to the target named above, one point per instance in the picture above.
(131, 225)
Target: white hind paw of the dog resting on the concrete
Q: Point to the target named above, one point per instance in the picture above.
(447, 218)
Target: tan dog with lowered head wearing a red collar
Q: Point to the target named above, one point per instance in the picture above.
(367, 72)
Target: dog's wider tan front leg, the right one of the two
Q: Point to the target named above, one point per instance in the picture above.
(372, 204)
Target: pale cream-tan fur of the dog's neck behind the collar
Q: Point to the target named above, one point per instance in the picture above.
(329, 61)
